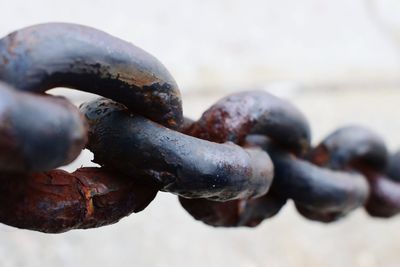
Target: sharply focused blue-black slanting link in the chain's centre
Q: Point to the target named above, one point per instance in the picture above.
(181, 164)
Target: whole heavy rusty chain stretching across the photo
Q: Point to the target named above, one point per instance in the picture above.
(237, 165)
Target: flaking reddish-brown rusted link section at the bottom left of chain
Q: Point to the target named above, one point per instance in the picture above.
(57, 201)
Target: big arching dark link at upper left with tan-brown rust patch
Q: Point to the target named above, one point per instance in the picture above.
(50, 55)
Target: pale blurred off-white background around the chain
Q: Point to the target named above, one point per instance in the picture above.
(338, 61)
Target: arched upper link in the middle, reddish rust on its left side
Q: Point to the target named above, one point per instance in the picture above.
(254, 112)
